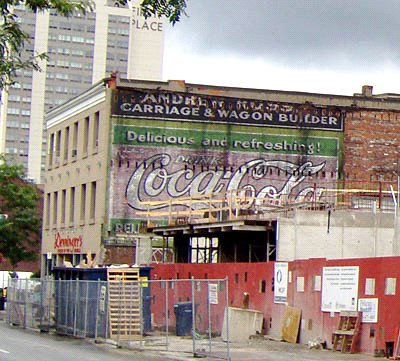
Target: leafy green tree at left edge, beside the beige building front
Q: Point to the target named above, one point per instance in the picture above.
(20, 223)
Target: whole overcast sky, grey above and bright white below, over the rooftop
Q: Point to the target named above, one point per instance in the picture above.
(322, 46)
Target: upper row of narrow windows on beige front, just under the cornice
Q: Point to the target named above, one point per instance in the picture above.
(74, 140)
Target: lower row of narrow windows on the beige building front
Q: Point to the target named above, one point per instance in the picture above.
(65, 207)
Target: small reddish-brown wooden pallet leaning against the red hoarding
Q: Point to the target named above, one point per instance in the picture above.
(346, 335)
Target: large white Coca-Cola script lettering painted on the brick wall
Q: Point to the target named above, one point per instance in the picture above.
(155, 178)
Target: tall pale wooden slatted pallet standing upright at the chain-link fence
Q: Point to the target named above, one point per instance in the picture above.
(124, 304)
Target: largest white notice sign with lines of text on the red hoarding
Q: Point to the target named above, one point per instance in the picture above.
(339, 289)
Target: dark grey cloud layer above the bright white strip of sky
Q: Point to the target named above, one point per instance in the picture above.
(299, 33)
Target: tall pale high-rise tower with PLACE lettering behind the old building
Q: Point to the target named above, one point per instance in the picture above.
(82, 50)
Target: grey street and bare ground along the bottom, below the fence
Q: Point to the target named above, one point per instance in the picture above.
(25, 345)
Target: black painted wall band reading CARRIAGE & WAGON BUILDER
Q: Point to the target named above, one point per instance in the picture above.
(194, 107)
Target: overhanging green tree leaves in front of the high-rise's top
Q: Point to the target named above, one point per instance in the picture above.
(14, 55)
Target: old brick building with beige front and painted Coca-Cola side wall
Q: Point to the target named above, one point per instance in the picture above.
(127, 152)
